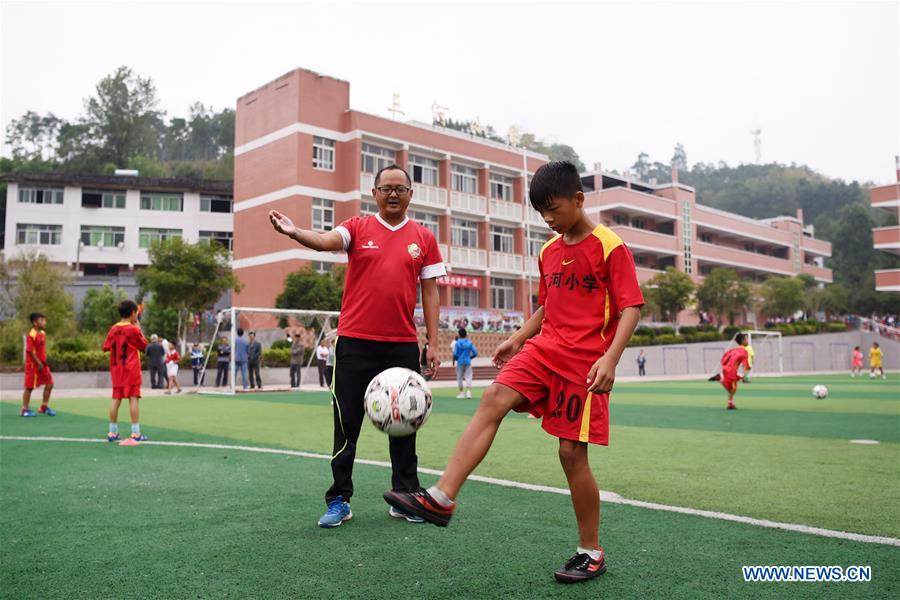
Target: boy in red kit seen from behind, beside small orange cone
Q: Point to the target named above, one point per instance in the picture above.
(124, 343)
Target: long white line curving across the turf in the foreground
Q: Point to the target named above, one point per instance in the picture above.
(610, 497)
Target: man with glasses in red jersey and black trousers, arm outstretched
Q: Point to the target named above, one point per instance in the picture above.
(388, 255)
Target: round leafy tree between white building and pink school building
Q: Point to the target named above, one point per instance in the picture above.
(186, 277)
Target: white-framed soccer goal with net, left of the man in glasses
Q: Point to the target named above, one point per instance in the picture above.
(271, 326)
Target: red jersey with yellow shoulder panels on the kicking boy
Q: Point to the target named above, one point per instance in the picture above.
(583, 289)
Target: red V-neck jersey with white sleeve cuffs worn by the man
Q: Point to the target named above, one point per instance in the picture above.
(385, 264)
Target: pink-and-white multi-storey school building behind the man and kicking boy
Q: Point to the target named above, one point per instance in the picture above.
(301, 149)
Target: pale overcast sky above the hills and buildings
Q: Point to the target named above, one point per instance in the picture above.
(822, 80)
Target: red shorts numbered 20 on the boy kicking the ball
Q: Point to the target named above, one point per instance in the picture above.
(569, 411)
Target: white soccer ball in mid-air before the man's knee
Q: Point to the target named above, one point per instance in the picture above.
(398, 401)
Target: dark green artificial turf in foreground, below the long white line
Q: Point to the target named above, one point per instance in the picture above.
(92, 520)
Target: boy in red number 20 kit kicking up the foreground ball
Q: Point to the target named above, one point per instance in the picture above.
(560, 365)
